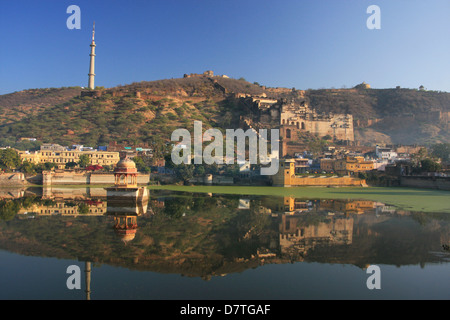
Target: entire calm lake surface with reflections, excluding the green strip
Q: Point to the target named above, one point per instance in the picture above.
(184, 245)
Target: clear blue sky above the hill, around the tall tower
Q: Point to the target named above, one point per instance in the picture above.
(285, 43)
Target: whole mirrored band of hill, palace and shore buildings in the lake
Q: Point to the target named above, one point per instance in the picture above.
(214, 235)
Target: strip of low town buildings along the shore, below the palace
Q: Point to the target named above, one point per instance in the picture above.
(331, 165)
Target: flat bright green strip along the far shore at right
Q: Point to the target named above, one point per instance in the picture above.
(424, 200)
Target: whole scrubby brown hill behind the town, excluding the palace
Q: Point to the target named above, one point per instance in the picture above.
(149, 111)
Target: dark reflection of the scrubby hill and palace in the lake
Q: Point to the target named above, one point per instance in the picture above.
(205, 236)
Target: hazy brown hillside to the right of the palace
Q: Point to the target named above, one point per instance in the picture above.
(403, 116)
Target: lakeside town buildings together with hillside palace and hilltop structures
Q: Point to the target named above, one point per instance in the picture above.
(309, 149)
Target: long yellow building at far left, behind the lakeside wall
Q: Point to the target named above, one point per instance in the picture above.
(62, 157)
